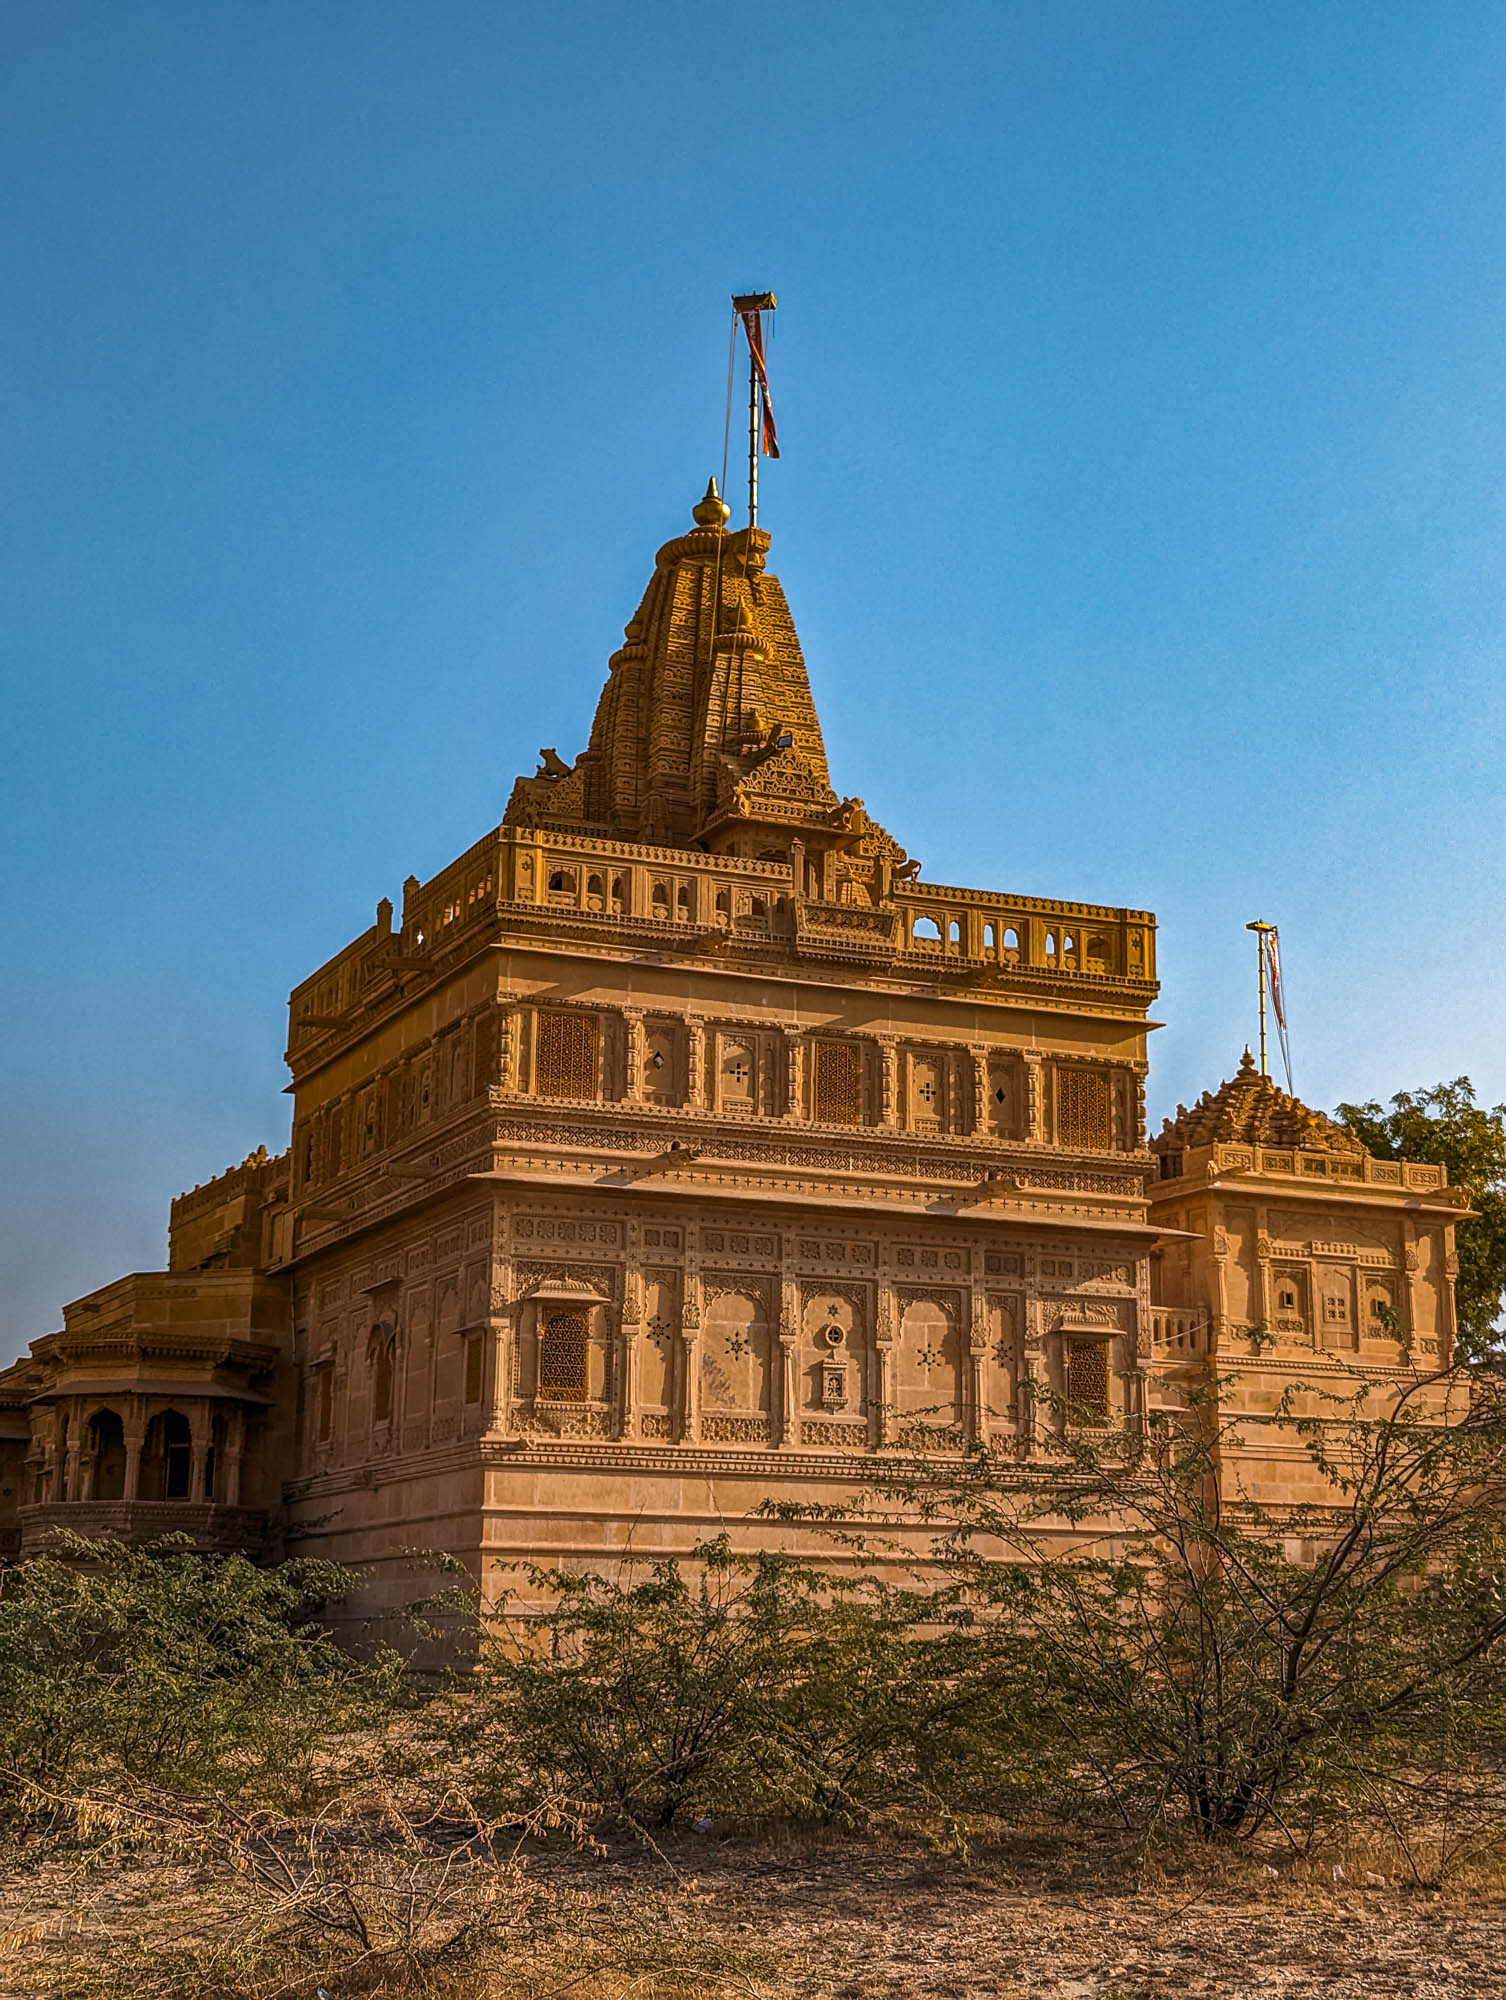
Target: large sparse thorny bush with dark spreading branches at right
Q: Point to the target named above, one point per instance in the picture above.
(1191, 1655)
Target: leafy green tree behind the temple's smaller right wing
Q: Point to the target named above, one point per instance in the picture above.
(1449, 1129)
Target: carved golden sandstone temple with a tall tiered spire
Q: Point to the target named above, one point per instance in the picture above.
(677, 1149)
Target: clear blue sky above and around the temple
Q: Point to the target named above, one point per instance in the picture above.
(1143, 393)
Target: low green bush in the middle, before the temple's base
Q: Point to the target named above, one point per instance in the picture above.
(737, 1683)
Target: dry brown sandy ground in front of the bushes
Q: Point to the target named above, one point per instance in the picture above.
(781, 1919)
